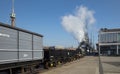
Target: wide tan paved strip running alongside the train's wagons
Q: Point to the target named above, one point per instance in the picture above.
(86, 65)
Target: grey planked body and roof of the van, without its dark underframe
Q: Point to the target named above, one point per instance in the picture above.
(19, 45)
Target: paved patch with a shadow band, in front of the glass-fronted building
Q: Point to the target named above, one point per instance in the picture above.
(110, 65)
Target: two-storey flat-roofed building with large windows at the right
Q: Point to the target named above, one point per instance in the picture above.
(109, 41)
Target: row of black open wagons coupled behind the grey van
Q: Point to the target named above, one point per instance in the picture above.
(54, 56)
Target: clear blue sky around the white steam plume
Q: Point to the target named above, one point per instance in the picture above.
(44, 17)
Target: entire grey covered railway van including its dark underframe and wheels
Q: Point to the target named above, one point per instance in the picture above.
(21, 51)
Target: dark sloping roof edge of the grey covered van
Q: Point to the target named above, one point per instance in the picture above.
(20, 29)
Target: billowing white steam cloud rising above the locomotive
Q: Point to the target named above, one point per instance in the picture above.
(76, 23)
